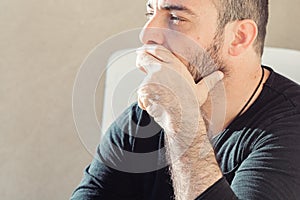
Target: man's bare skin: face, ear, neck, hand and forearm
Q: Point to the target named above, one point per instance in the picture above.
(177, 101)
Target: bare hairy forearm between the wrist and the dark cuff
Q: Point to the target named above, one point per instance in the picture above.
(196, 169)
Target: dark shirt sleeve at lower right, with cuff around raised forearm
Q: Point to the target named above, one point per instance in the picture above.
(272, 169)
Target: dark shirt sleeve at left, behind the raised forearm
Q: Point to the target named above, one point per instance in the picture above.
(120, 162)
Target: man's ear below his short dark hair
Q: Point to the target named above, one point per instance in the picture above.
(245, 33)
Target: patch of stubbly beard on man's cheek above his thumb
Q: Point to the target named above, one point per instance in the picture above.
(207, 61)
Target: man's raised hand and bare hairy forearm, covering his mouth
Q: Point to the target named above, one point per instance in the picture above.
(170, 95)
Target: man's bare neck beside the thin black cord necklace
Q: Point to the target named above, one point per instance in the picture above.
(235, 90)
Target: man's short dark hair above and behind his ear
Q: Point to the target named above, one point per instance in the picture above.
(256, 10)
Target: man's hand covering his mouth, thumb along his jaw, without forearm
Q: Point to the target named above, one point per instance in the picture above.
(169, 93)
